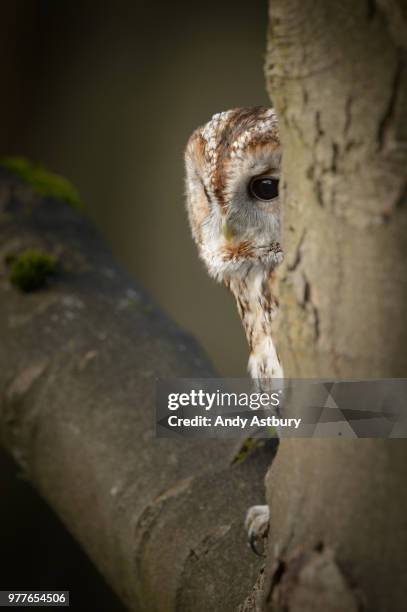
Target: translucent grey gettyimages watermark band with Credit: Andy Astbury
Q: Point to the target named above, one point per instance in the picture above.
(225, 408)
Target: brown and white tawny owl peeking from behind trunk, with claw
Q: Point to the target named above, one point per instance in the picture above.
(232, 178)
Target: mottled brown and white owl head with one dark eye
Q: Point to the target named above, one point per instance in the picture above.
(232, 176)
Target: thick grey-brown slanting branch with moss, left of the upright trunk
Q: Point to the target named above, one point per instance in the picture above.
(160, 518)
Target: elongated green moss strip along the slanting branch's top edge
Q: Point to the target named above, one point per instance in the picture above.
(43, 181)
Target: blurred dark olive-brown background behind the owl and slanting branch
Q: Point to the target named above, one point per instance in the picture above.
(107, 93)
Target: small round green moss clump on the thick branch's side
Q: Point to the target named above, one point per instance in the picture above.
(32, 270)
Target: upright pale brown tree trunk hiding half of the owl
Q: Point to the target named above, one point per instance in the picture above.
(336, 73)
